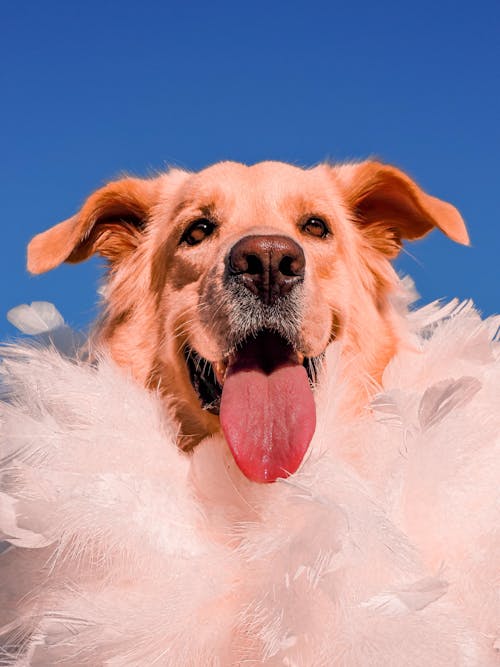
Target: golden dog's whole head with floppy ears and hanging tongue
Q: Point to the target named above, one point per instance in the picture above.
(225, 288)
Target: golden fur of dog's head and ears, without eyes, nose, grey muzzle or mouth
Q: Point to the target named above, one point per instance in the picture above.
(162, 294)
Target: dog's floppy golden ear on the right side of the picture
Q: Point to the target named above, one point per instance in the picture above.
(389, 206)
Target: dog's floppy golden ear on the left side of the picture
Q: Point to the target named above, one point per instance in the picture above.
(111, 223)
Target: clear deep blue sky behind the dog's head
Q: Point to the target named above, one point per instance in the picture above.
(91, 90)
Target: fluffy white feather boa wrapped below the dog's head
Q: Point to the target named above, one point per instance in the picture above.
(384, 549)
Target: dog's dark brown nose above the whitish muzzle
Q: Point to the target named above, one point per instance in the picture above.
(268, 265)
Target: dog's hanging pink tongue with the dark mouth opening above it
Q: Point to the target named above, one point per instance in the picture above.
(267, 409)
